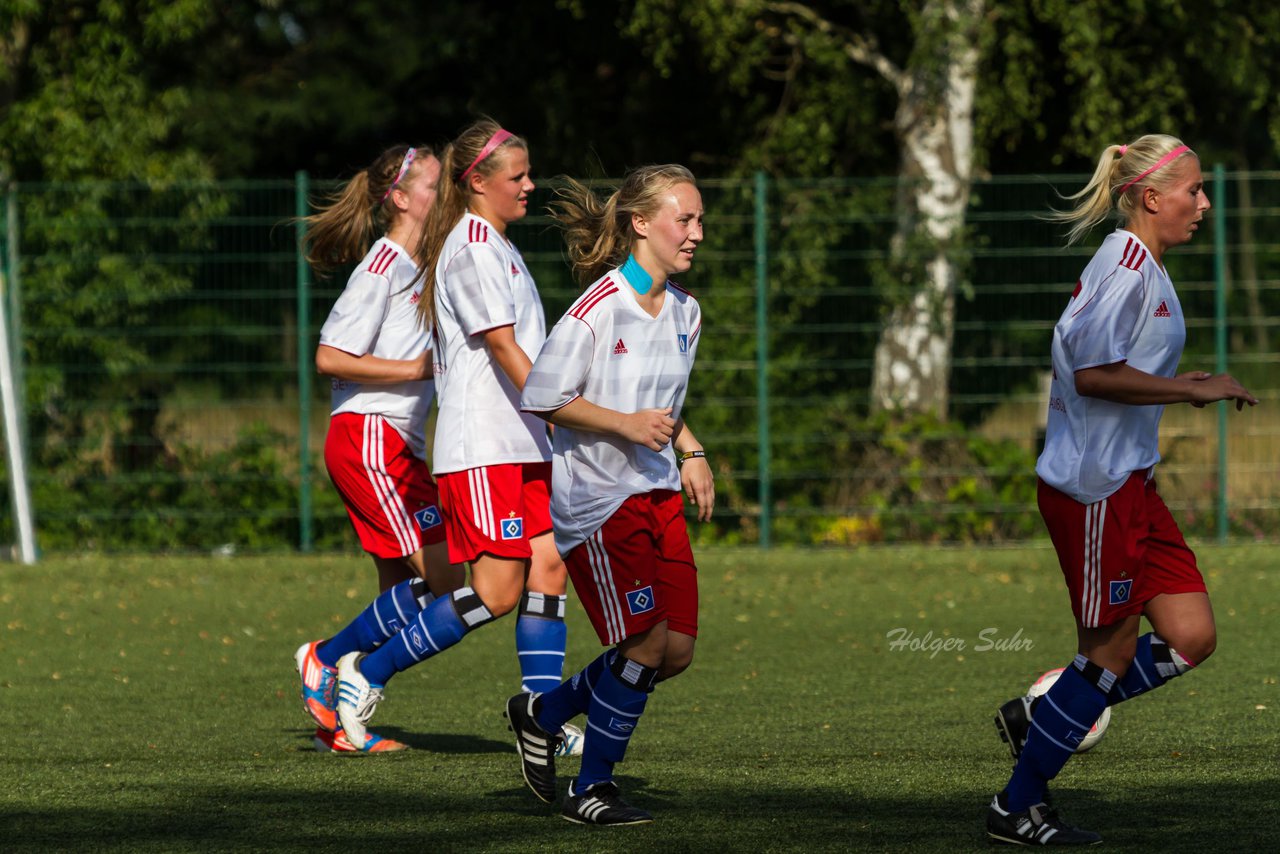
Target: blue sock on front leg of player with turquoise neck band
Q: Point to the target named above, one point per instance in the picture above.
(616, 707)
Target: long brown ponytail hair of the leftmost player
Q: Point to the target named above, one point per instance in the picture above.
(353, 218)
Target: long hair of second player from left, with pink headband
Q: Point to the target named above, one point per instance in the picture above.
(463, 158)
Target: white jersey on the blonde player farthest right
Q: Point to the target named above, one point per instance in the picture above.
(1124, 310)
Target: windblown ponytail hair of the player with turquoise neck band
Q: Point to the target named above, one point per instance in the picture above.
(598, 234)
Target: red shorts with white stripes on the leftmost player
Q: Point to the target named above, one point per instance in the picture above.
(390, 495)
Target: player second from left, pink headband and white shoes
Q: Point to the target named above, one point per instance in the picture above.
(492, 462)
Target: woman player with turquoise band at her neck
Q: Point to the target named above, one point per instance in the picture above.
(612, 378)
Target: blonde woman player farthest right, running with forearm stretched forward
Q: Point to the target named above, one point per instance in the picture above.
(1116, 366)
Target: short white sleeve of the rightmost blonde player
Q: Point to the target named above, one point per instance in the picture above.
(1103, 330)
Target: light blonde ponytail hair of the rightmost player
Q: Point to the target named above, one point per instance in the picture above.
(1117, 182)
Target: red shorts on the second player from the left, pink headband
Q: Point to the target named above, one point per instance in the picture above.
(496, 510)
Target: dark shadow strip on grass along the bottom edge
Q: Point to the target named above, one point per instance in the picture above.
(392, 818)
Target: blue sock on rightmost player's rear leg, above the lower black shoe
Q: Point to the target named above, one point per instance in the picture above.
(1063, 718)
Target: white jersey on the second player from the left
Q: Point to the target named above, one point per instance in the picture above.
(482, 284)
